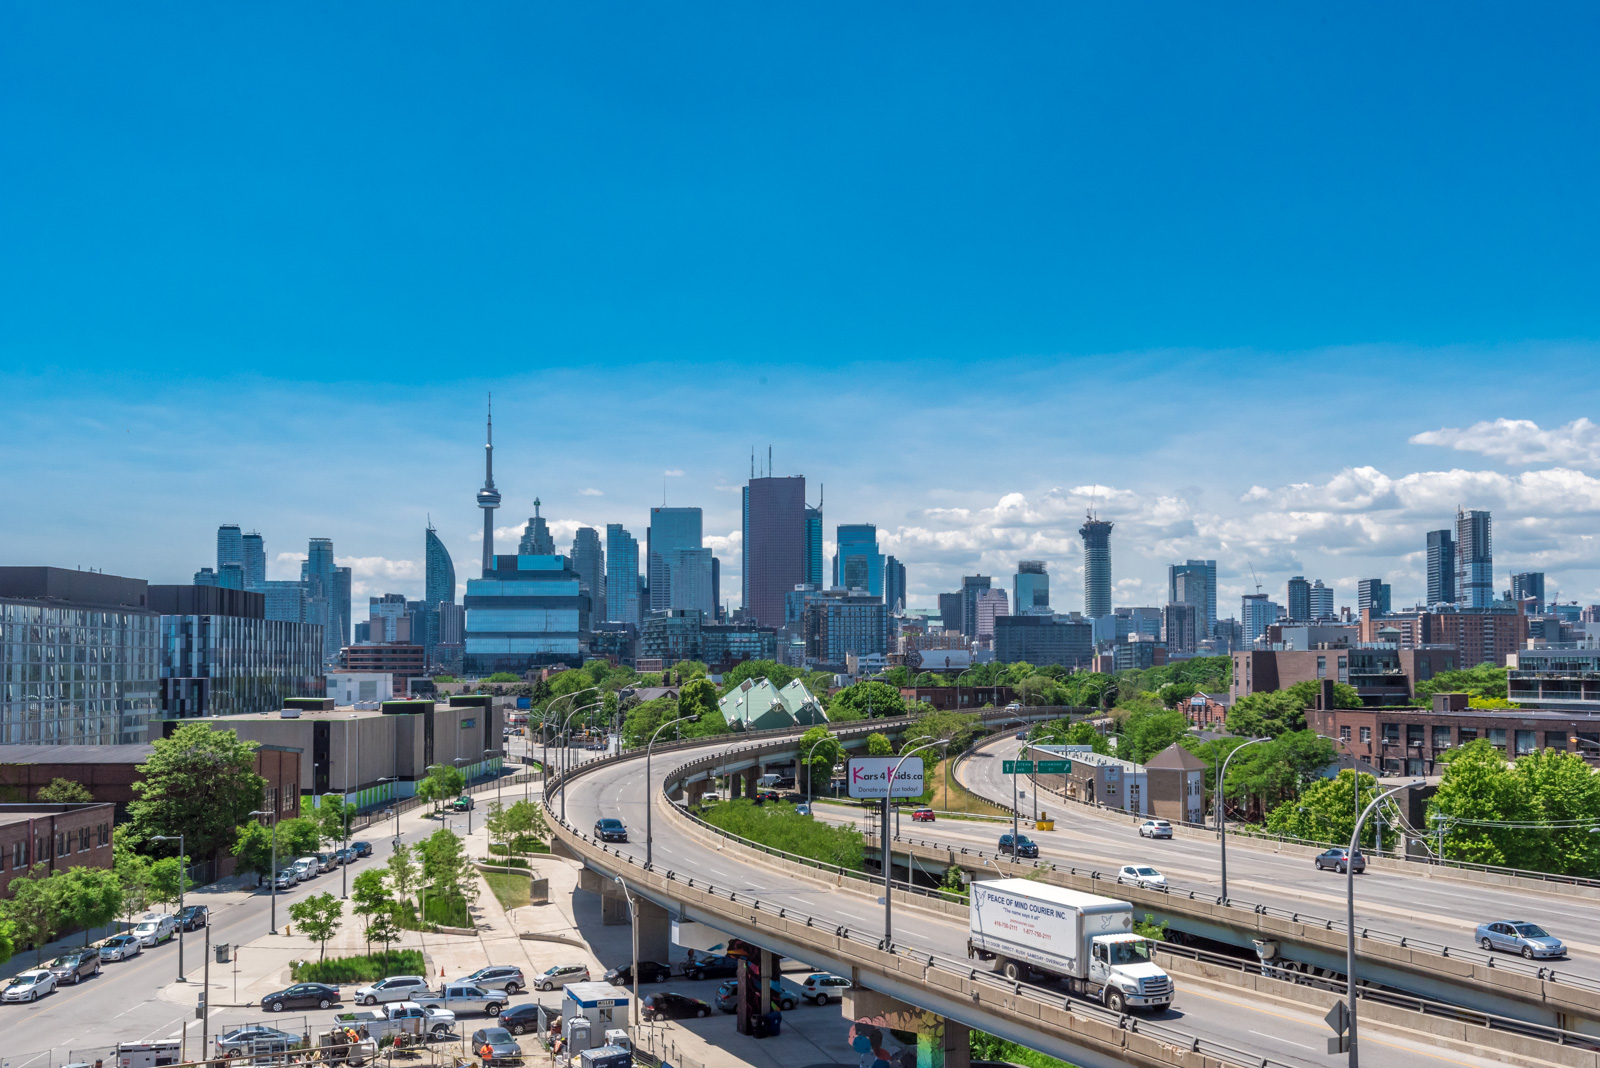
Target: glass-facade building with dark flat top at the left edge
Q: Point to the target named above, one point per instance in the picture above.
(79, 658)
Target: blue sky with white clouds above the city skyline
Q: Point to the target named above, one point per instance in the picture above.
(1217, 268)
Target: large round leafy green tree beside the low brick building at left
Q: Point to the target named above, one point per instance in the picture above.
(199, 784)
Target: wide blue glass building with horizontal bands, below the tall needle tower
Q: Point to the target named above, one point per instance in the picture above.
(526, 613)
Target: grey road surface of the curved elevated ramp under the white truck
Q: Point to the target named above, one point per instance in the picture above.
(1215, 1014)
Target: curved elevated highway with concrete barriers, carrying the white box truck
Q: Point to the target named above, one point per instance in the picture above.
(817, 919)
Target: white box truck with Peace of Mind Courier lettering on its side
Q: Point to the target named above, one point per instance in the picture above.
(1082, 939)
